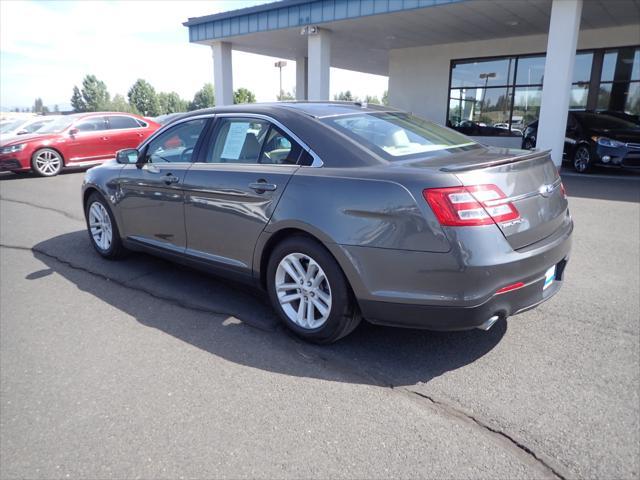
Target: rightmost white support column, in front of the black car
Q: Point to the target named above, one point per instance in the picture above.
(564, 28)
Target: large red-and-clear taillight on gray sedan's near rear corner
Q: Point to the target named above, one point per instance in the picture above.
(470, 205)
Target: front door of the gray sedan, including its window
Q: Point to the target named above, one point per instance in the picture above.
(151, 203)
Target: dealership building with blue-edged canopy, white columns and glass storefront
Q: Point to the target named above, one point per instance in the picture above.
(497, 63)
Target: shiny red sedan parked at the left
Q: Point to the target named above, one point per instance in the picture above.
(80, 140)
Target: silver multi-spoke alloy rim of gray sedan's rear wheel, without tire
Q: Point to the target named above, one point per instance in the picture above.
(303, 291)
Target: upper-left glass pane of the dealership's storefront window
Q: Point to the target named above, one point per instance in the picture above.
(486, 73)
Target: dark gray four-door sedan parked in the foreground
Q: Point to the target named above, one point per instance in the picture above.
(341, 212)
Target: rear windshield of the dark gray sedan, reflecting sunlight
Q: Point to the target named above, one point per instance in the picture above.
(400, 136)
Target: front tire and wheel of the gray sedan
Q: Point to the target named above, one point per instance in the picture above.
(102, 228)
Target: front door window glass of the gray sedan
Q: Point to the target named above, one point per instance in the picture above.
(177, 143)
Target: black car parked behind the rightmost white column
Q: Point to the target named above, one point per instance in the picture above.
(595, 138)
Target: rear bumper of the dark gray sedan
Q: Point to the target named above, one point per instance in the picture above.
(455, 290)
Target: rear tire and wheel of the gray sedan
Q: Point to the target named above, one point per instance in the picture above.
(309, 291)
